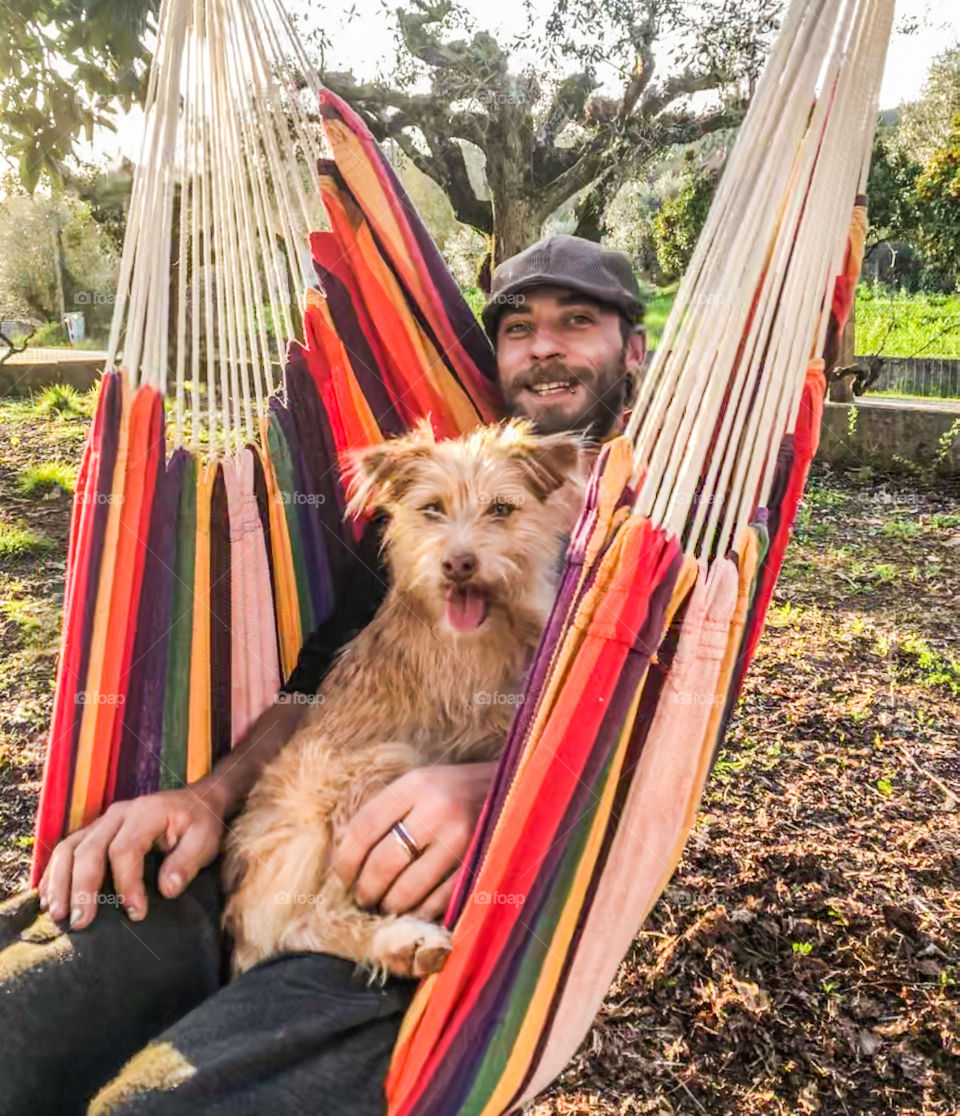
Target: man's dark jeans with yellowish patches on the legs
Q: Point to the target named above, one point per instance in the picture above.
(303, 1033)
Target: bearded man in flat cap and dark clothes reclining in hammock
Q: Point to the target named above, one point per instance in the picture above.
(301, 1032)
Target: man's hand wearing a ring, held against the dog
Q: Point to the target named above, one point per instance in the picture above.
(440, 807)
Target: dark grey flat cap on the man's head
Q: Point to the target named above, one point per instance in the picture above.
(563, 261)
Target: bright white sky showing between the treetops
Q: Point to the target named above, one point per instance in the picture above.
(364, 44)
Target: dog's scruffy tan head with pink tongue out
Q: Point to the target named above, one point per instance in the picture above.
(476, 523)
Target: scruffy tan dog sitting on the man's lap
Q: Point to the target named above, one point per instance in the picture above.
(474, 540)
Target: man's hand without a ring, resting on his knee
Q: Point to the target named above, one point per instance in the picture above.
(187, 824)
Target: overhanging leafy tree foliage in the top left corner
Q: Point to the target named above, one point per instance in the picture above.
(65, 68)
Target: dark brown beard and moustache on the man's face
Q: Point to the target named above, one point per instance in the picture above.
(593, 406)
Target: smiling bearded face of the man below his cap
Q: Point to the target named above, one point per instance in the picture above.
(563, 361)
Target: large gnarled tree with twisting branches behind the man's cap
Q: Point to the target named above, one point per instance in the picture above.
(546, 140)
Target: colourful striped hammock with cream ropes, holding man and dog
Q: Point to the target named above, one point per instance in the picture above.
(208, 537)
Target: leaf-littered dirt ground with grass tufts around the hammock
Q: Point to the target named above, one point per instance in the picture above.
(805, 957)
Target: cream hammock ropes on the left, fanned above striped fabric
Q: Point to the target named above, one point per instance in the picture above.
(228, 138)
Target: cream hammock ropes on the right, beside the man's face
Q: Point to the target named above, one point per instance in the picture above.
(754, 305)
